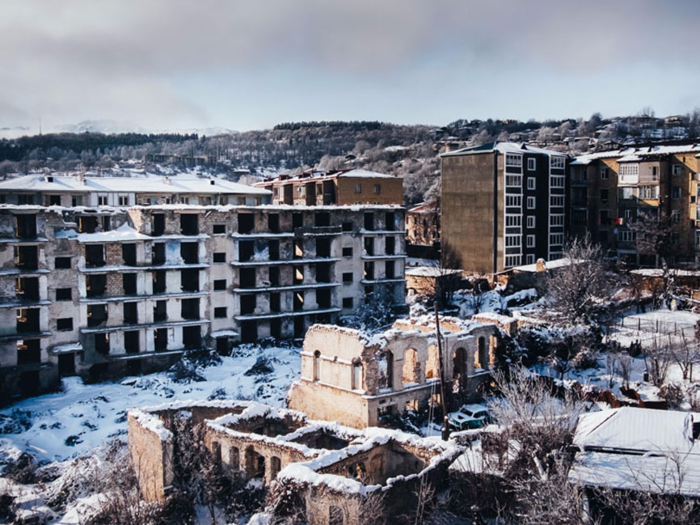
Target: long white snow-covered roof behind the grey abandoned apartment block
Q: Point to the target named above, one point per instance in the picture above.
(135, 184)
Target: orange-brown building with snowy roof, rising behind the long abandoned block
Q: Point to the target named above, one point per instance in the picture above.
(352, 186)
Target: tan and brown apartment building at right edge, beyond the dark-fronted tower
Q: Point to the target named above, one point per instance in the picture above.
(611, 189)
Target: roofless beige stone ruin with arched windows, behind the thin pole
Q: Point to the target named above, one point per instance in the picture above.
(349, 377)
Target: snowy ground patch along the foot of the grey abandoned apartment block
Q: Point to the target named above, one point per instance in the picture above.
(82, 417)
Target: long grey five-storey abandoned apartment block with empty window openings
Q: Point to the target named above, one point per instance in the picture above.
(108, 291)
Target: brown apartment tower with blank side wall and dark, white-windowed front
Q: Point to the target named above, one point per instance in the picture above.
(503, 205)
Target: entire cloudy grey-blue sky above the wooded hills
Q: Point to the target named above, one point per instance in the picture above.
(169, 64)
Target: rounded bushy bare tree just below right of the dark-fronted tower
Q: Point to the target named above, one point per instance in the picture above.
(575, 290)
